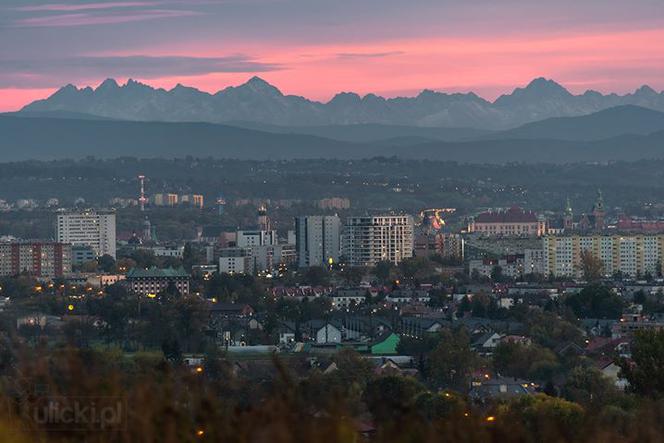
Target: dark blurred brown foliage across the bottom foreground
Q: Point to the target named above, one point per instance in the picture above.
(161, 400)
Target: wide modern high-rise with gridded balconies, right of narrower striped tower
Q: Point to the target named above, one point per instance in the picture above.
(368, 240)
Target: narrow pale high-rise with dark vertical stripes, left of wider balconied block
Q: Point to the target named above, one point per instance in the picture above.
(317, 240)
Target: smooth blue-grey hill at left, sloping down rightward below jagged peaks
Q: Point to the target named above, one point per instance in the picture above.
(56, 138)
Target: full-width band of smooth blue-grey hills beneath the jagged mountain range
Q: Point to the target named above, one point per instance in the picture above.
(57, 138)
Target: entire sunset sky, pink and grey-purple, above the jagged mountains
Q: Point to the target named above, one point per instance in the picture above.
(317, 48)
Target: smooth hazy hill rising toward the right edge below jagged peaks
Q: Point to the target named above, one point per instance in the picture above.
(608, 123)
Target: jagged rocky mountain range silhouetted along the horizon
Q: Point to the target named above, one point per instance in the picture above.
(259, 102)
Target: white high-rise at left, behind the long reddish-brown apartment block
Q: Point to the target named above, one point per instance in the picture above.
(90, 228)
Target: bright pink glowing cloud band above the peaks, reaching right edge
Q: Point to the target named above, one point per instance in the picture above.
(487, 65)
